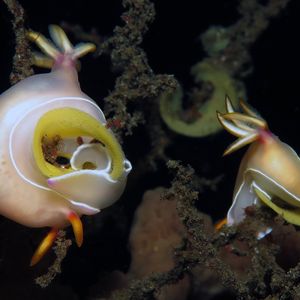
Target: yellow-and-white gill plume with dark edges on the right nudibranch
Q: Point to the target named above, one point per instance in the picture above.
(247, 126)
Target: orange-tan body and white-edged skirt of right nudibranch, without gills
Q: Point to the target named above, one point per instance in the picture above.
(271, 166)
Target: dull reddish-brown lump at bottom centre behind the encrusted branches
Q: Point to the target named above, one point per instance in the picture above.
(157, 230)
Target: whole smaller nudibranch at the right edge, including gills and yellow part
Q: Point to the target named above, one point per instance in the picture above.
(269, 172)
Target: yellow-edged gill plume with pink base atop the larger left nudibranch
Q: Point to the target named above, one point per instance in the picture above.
(58, 52)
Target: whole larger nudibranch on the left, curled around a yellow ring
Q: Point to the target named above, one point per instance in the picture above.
(59, 160)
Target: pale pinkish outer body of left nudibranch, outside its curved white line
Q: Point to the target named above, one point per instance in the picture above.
(20, 201)
